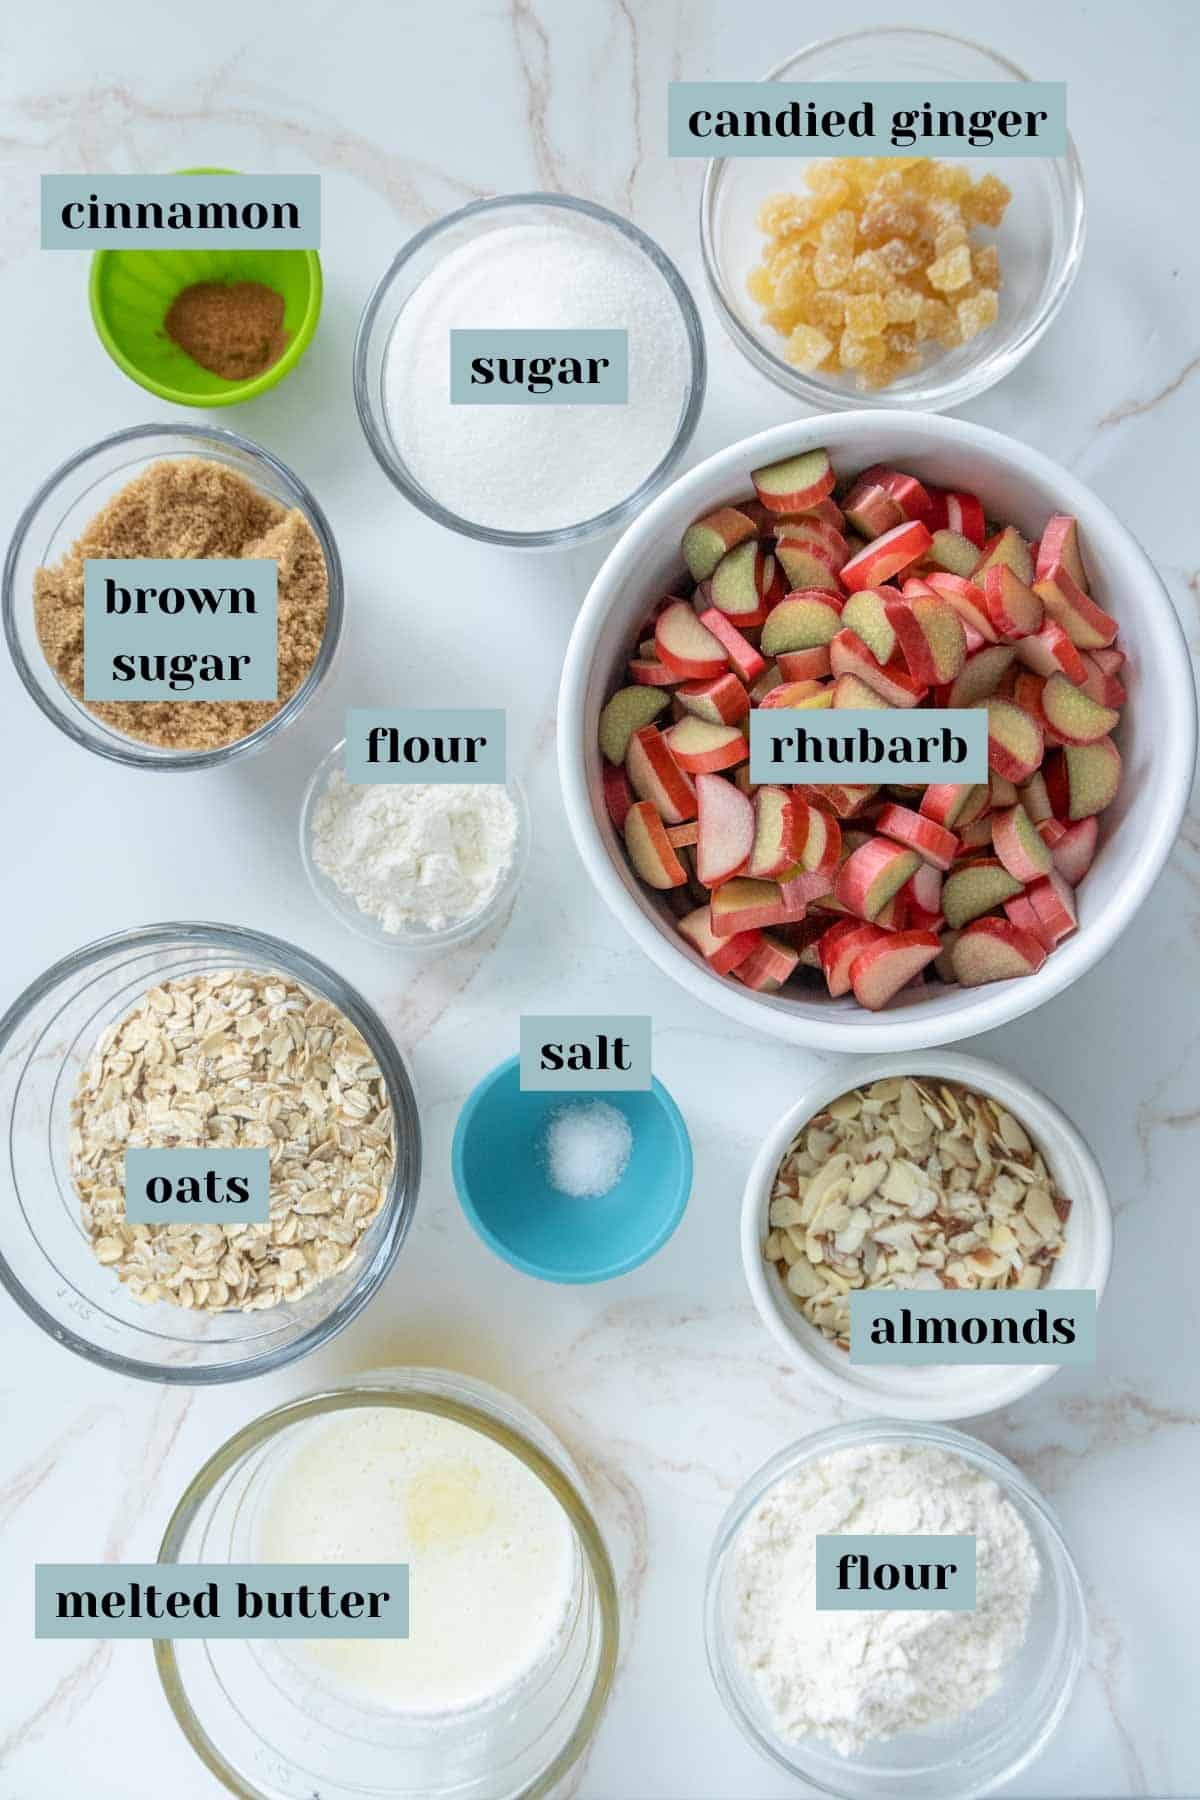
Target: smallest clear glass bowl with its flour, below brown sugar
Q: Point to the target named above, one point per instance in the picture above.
(413, 865)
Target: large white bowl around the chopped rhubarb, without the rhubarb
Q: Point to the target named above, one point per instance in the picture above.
(1158, 733)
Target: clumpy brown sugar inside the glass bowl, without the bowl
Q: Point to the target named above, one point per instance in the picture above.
(190, 508)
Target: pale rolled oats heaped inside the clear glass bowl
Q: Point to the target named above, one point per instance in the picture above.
(235, 1061)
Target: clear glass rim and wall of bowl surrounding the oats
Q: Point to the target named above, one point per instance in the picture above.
(404, 1187)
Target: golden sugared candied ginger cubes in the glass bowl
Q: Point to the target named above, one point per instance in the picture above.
(877, 262)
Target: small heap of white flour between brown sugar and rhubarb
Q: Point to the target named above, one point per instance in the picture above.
(424, 856)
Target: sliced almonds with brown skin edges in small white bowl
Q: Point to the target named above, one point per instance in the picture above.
(911, 1185)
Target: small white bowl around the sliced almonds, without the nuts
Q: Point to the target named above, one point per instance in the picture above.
(908, 1390)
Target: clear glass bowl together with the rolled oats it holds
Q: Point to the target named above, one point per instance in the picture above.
(201, 1038)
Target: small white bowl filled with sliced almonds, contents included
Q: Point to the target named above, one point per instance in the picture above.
(918, 1173)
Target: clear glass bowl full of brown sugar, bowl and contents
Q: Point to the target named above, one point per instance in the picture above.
(170, 492)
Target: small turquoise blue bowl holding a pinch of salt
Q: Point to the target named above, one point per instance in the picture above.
(508, 1144)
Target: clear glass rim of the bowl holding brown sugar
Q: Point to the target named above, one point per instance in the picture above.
(127, 751)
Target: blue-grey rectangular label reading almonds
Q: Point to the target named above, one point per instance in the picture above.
(956, 1326)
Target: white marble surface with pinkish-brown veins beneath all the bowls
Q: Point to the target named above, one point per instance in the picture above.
(663, 1383)
